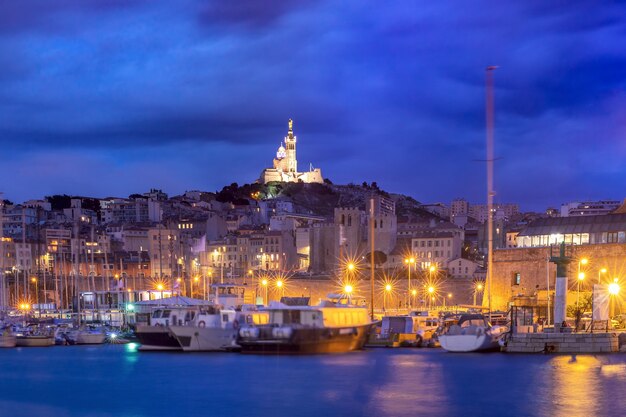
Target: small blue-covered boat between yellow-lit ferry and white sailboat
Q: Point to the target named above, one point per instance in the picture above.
(413, 330)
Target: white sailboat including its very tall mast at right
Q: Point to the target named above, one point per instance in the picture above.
(474, 333)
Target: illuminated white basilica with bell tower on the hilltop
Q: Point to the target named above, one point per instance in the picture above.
(285, 167)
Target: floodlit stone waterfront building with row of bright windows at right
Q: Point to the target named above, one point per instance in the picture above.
(522, 275)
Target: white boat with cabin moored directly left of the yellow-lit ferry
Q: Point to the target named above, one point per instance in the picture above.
(213, 328)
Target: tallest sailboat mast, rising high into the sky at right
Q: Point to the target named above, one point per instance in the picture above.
(490, 192)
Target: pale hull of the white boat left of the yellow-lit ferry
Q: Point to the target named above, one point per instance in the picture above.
(197, 339)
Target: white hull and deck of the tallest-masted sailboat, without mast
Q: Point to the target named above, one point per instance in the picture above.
(473, 333)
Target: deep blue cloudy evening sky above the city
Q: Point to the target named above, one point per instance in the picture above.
(113, 97)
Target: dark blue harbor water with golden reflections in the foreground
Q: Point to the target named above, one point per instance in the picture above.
(116, 380)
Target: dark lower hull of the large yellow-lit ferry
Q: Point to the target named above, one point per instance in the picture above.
(308, 341)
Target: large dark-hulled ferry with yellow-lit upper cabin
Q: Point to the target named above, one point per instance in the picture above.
(325, 328)
